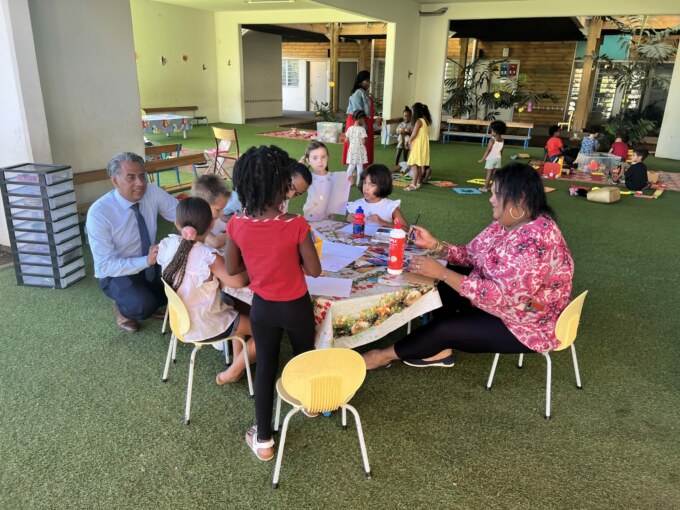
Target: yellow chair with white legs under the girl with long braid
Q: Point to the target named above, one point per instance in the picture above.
(179, 325)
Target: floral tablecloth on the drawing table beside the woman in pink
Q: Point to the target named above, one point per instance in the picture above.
(377, 305)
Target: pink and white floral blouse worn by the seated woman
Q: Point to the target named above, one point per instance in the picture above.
(531, 263)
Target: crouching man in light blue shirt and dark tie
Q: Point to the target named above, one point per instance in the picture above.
(121, 228)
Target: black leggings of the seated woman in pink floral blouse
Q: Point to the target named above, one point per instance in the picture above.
(459, 325)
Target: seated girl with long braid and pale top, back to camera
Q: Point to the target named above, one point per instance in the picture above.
(196, 273)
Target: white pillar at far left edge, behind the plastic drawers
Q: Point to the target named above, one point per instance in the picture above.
(23, 129)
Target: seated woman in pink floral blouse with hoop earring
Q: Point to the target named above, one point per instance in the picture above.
(503, 291)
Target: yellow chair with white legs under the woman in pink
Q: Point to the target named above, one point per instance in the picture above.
(565, 331)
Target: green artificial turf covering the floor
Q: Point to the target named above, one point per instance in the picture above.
(86, 422)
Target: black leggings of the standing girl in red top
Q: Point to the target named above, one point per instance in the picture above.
(268, 320)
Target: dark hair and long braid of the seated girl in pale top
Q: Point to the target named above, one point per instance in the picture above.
(194, 216)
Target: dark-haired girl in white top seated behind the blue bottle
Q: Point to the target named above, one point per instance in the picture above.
(376, 185)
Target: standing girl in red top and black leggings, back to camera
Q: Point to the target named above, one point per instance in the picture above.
(275, 247)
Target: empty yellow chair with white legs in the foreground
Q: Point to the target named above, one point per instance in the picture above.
(319, 381)
